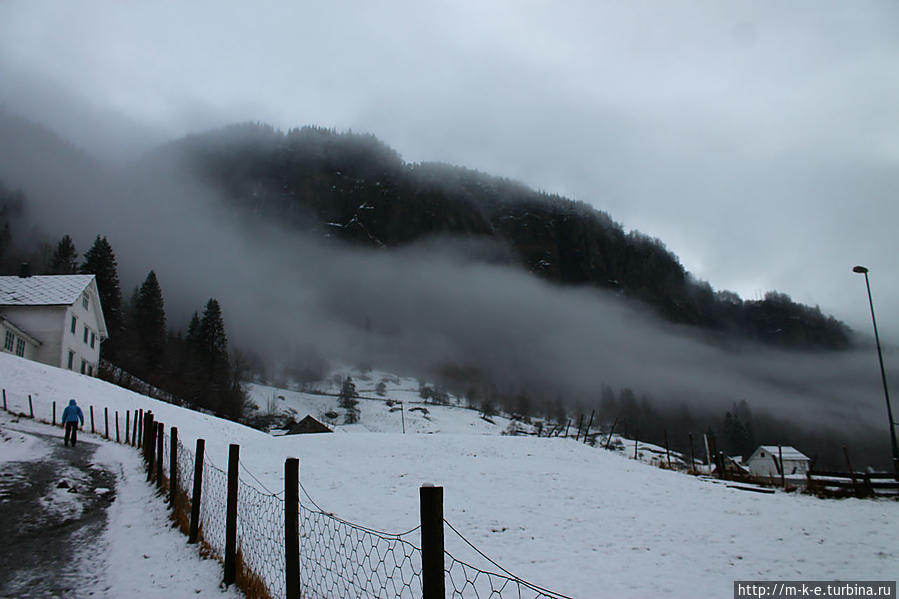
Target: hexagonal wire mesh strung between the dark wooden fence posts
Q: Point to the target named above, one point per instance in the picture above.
(338, 559)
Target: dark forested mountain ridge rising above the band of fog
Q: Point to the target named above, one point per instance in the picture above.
(355, 188)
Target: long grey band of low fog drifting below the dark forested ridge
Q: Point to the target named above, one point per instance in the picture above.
(419, 310)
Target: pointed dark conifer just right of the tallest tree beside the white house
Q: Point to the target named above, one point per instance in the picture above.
(148, 326)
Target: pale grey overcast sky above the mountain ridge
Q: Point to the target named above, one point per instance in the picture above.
(758, 140)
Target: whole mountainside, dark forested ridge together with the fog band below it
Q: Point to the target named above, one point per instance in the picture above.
(327, 247)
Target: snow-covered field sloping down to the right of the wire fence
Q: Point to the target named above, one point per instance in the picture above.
(576, 519)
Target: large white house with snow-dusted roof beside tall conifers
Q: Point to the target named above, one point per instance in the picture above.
(54, 319)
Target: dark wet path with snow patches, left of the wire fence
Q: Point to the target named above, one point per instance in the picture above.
(50, 511)
